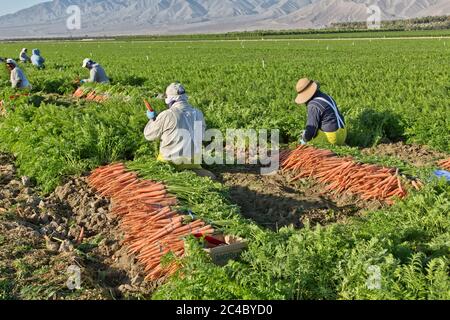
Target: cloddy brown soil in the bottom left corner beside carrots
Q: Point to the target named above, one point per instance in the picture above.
(72, 226)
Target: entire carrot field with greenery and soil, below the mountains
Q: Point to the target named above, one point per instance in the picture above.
(305, 241)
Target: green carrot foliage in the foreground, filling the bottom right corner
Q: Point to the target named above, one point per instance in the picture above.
(408, 243)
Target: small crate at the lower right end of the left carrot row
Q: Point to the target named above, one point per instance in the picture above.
(222, 254)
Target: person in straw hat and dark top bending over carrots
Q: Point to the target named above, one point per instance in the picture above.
(325, 123)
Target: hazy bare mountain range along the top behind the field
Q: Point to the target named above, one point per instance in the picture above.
(137, 17)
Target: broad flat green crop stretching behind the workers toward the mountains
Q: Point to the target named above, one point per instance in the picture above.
(388, 90)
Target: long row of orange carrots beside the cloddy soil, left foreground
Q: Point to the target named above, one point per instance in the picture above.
(152, 229)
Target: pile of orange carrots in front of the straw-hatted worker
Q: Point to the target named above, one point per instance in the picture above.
(344, 175)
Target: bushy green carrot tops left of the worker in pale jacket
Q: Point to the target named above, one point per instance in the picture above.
(51, 142)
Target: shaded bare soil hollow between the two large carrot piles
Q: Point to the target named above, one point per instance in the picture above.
(274, 201)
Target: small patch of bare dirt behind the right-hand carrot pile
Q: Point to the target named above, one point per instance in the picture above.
(417, 155)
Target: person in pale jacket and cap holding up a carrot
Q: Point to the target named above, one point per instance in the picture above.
(181, 129)
